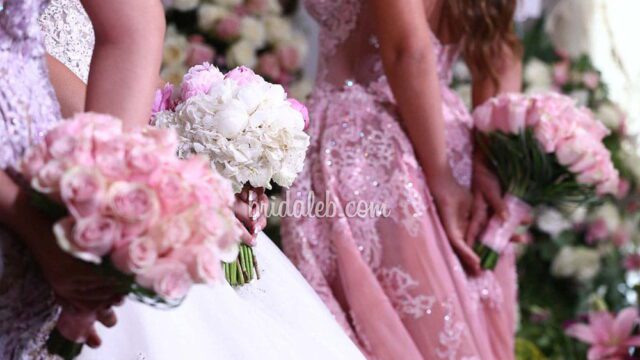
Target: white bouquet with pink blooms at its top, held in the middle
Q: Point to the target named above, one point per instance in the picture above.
(248, 128)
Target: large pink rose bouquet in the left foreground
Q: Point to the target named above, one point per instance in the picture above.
(125, 202)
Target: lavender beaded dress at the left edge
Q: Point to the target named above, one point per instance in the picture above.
(27, 109)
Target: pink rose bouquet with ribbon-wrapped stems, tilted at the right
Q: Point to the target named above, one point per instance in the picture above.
(545, 150)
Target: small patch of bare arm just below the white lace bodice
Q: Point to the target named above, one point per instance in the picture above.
(70, 90)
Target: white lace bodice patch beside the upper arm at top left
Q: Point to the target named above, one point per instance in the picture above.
(68, 35)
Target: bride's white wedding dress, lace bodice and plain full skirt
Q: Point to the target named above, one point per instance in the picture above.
(278, 317)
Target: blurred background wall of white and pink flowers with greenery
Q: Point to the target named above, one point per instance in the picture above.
(581, 266)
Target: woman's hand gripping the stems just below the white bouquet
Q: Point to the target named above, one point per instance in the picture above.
(251, 210)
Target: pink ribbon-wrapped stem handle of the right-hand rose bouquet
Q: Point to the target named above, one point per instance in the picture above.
(499, 232)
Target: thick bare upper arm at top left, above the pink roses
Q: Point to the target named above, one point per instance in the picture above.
(127, 57)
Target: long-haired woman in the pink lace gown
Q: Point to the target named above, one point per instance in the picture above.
(387, 129)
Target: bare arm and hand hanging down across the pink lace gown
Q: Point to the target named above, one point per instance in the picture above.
(410, 65)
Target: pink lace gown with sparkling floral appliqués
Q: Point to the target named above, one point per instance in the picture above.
(394, 283)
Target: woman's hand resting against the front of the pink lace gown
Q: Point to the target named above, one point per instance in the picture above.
(454, 206)
